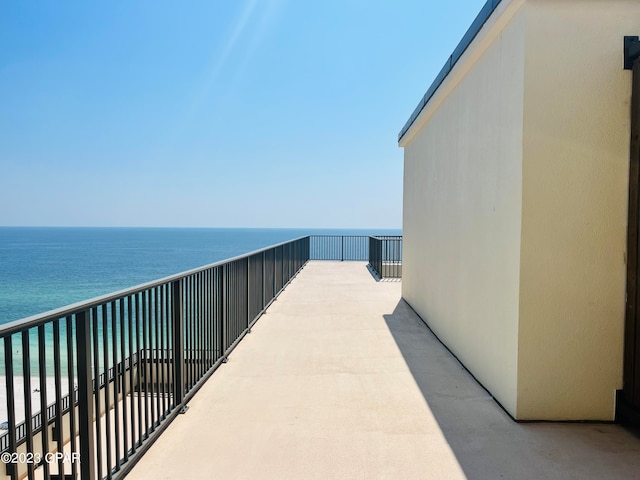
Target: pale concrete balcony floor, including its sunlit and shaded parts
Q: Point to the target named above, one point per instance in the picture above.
(340, 380)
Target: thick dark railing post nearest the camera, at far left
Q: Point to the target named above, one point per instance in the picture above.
(85, 398)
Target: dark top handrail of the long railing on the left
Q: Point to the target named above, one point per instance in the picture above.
(38, 319)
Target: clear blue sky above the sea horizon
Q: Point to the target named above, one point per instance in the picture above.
(247, 113)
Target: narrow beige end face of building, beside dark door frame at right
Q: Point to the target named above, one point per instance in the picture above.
(574, 208)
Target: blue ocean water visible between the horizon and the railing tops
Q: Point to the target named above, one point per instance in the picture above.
(42, 268)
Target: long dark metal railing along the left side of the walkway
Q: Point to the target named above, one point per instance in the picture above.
(120, 367)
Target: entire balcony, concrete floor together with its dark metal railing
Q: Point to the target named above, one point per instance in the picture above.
(334, 377)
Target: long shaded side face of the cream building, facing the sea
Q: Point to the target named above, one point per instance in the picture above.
(462, 206)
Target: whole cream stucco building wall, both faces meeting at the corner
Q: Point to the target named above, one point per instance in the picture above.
(515, 205)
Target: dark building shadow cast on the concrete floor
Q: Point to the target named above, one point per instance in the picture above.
(487, 443)
